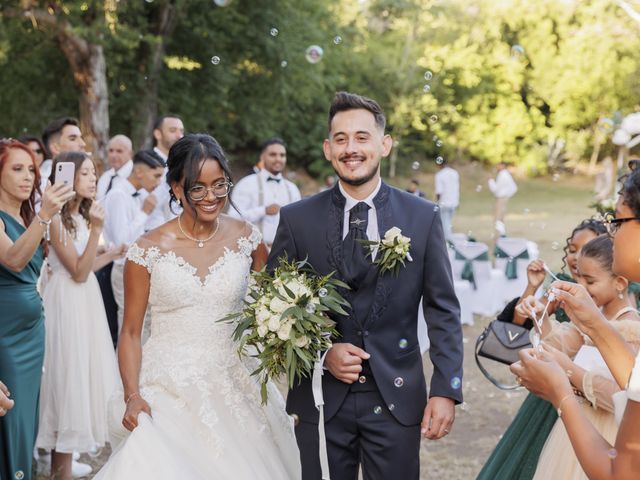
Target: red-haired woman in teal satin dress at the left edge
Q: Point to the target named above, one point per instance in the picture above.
(21, 316)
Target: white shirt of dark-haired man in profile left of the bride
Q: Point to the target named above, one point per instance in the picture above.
(124, 217)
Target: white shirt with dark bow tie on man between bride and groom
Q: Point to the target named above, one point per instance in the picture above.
(255, 192)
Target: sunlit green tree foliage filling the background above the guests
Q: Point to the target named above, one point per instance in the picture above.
(511, 79)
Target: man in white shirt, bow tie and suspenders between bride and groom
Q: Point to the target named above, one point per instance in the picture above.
(259, 197)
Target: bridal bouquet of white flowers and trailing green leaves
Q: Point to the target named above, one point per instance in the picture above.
(285, 321)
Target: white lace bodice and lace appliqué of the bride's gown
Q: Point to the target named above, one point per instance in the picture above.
(190, 354)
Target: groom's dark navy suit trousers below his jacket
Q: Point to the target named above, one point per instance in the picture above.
(362, 432)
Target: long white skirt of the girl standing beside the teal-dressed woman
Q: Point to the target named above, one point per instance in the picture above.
(80, 368)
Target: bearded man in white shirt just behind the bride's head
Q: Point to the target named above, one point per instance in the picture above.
(167, 130)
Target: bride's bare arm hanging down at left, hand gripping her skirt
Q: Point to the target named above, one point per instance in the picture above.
(136, 296)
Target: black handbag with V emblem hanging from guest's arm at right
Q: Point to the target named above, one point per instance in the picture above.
(501, 341)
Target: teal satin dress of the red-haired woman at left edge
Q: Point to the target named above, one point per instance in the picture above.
(21, 357)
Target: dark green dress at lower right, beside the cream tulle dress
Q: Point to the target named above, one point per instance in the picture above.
(516, 454)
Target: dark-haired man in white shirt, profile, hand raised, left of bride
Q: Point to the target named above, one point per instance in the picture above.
(126, 215)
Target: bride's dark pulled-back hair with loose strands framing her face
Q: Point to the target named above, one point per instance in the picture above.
(185, 160)
